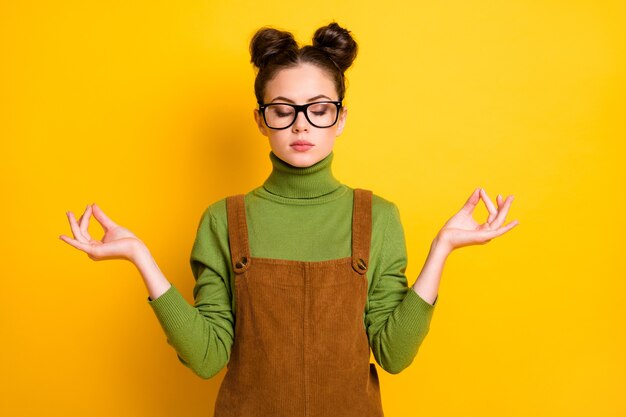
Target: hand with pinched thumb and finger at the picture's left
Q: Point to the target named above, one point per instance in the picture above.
(117, 242)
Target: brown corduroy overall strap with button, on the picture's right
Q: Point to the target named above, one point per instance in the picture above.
(361, 229)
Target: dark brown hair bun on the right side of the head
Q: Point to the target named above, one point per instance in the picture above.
(337, 43)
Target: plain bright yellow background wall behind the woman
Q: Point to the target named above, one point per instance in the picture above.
(146, 109)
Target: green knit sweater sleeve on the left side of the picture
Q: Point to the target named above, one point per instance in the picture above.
(202, 335)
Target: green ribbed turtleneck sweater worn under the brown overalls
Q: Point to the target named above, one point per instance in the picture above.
(313, 202)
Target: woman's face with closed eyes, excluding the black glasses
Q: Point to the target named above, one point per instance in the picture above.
(301, 85)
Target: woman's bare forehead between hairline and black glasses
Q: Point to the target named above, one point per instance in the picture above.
(300, 83)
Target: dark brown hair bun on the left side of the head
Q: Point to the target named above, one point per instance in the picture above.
(268, 42)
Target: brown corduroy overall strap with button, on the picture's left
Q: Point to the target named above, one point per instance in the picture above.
(238, 233)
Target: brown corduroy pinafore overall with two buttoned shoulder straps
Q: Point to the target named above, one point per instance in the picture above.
(300, 348)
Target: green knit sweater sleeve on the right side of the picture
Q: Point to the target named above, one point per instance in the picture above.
(398, 319)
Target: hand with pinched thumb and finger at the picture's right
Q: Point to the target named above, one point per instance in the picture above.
(462, 230)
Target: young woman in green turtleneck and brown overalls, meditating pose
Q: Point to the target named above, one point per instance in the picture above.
(299, 278)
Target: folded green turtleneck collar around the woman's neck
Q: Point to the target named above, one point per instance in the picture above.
(294, 182)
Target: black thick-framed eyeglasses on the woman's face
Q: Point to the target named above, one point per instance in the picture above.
(321, 114)
